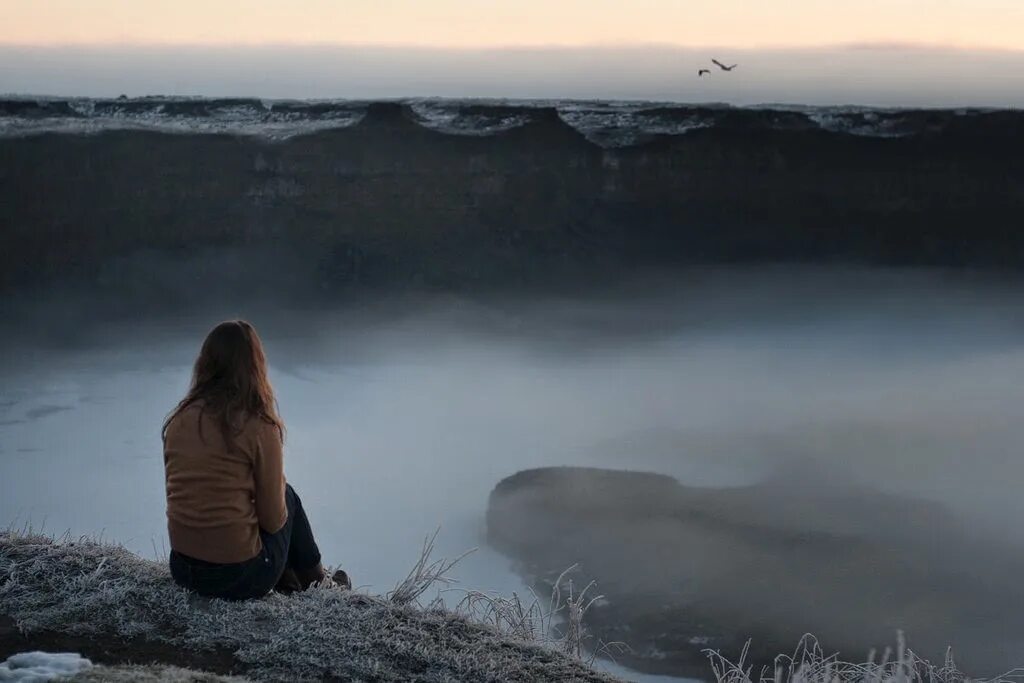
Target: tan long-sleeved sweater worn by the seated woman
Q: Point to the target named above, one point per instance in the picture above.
(218, 501)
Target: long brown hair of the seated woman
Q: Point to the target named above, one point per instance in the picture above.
(230, 382)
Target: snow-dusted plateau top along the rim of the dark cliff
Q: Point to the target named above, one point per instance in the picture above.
(610, 124)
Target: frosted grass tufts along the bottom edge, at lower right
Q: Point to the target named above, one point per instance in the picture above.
(810, 664)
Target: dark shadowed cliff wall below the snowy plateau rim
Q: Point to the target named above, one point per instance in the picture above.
(389, 201)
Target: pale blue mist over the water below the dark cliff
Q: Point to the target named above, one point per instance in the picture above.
(403, 416)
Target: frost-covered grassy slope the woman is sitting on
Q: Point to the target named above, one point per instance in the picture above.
(84, 587)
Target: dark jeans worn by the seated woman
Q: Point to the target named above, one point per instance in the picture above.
(291, 548)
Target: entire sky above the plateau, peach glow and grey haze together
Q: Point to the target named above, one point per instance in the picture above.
(885, 53)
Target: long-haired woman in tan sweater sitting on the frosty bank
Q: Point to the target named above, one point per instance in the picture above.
(238, 531)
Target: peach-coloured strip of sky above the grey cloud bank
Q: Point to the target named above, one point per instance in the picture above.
(447, 24)
